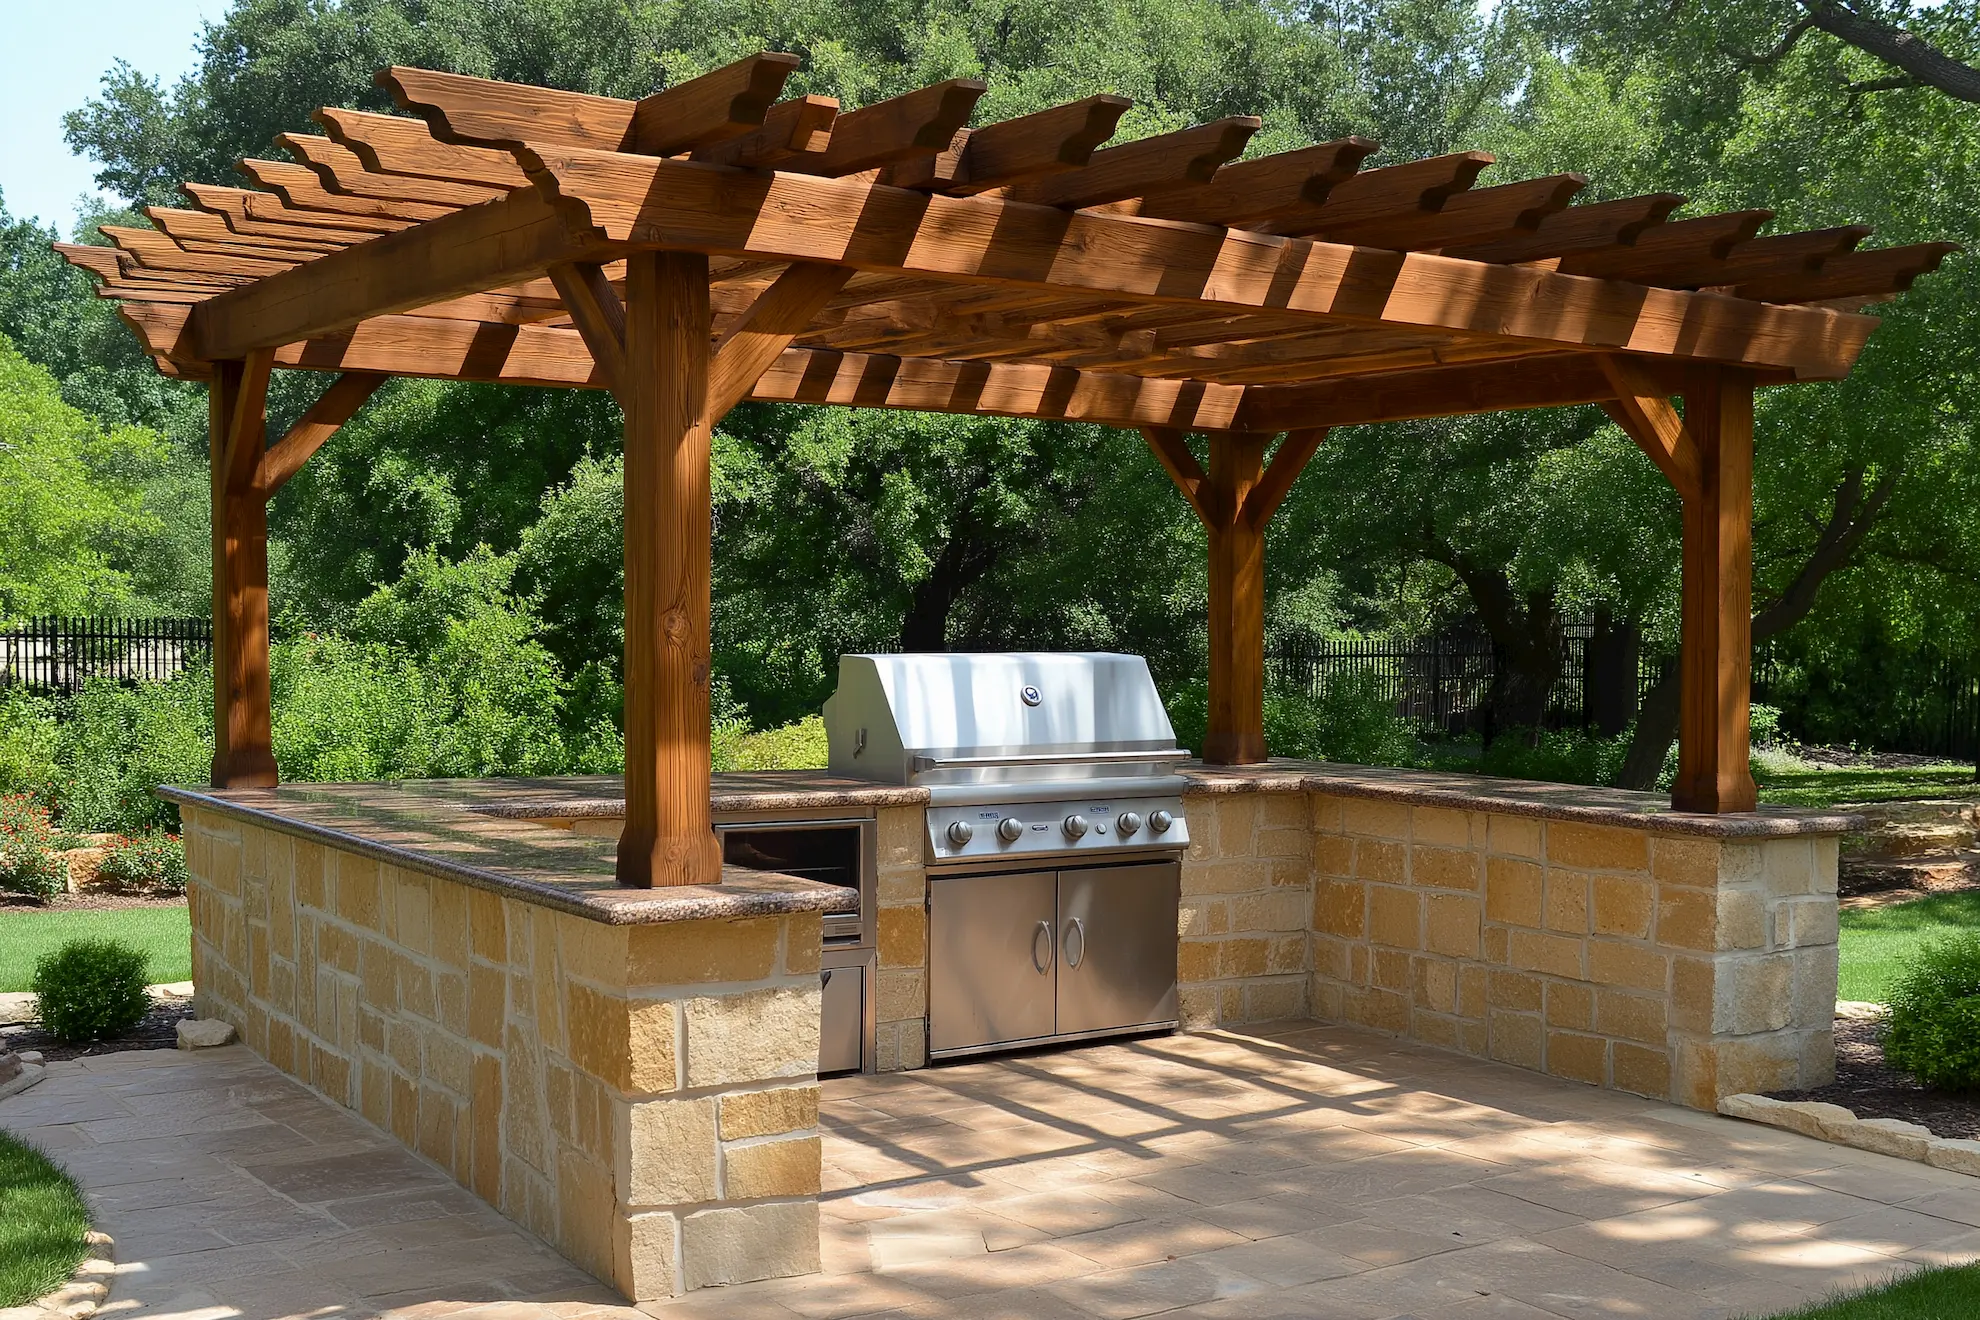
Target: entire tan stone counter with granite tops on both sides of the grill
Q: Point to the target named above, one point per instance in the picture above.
(633, 1074)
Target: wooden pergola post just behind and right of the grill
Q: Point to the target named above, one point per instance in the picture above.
(1237, 733)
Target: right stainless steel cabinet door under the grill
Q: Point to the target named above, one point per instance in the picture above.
(1118, 947)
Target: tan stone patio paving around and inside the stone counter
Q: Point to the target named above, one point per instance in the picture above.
(1310, 1173)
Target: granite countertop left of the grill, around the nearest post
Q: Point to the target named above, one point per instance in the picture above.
(476, 832)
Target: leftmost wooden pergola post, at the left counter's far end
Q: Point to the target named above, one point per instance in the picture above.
(237, 432)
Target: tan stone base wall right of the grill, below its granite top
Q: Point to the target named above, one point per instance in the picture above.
(1668, 965)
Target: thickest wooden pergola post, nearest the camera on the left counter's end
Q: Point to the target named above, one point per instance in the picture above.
(668, 838)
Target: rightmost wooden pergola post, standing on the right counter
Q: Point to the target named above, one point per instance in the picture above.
(1716, 658)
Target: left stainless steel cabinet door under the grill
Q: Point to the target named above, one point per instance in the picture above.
(993, 953)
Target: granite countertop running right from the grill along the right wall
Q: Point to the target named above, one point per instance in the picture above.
(1474, 793)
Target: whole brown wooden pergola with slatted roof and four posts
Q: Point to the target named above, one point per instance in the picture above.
(716, 244)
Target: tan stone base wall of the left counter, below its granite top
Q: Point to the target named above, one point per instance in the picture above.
(643, 1097)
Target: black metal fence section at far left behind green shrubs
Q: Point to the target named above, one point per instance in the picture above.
(60, 654)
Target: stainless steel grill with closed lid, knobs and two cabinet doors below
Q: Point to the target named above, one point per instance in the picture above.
(1056, 830)
